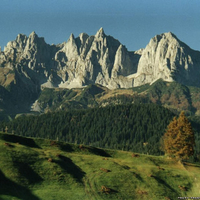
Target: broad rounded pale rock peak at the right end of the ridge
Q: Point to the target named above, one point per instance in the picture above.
(168, 58)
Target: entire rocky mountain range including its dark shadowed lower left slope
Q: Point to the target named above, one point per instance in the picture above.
(28, 65)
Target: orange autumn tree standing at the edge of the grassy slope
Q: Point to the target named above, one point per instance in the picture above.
(179, 138)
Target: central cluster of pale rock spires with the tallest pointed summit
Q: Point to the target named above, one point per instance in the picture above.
(95, 59)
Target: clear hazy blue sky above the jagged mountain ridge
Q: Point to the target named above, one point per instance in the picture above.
(132, 22)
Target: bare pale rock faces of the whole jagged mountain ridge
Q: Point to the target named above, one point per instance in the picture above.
(102, 59)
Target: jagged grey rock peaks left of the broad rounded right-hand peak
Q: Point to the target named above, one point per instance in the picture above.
(75, 63)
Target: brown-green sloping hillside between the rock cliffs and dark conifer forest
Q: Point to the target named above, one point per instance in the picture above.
(174, 96)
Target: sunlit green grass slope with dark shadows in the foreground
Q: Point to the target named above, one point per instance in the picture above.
(44, 169)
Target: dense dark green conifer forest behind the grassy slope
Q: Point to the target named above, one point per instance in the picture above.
(134, 127)
